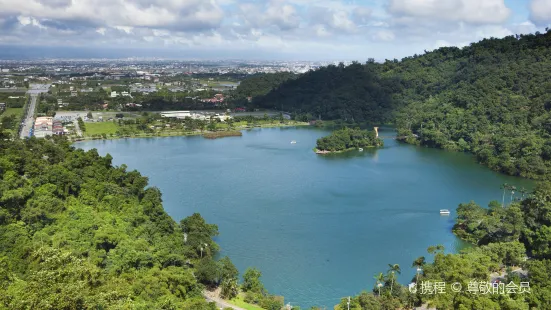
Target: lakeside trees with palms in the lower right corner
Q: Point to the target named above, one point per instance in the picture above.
(489, 274)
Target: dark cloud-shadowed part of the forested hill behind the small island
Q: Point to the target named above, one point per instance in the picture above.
(353, 93)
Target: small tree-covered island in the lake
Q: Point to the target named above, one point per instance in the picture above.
(347, 139)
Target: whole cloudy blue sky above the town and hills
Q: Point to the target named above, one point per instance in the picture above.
(270, 29)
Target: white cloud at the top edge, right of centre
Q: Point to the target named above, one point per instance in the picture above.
(469, 11)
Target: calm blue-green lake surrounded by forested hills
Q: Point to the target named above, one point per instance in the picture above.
(318, 227)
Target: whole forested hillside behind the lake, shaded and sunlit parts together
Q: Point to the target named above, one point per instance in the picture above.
(492, 98)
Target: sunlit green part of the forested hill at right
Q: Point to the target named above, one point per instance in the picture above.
(492, 98)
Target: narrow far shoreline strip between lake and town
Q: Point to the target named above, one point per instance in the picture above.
(182, 134)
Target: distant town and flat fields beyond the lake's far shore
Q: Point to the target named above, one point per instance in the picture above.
(131, 97)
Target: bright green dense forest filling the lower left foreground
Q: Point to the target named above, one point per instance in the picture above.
(78, 233)
